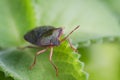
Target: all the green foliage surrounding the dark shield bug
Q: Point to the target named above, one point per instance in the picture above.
(99, 22)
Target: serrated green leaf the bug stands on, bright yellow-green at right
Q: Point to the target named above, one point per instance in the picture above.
(15, 63)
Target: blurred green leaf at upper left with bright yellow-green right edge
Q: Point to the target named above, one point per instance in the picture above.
(16, 17)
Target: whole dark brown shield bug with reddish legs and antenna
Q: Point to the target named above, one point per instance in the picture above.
(46, 37)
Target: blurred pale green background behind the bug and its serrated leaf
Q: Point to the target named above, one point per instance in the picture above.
(98, 38)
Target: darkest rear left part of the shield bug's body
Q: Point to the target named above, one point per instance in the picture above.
(36, 34)
